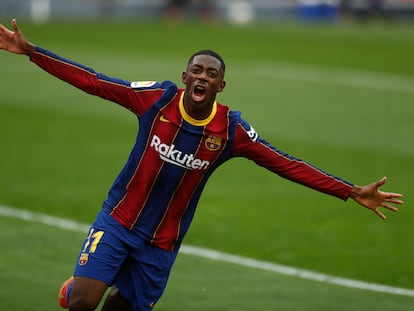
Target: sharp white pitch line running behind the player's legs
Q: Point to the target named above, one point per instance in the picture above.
(71, 225)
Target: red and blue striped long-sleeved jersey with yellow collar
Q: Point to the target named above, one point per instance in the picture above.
(157, 191)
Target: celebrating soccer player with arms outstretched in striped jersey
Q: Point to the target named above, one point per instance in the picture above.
(183, 136)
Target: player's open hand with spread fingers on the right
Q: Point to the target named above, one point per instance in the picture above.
(372, 198)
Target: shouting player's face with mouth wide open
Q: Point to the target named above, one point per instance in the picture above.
(203, 79)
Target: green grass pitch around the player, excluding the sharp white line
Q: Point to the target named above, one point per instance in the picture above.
(338, 96)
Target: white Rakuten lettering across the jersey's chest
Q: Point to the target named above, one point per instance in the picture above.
(171, 155)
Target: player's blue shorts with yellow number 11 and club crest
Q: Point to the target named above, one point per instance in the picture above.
(115, 255)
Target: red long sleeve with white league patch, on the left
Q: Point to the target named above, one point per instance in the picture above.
(135, 96)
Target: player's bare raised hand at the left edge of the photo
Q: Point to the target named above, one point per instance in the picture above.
(14, 41)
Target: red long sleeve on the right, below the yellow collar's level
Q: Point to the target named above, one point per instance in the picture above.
(250, 145)
